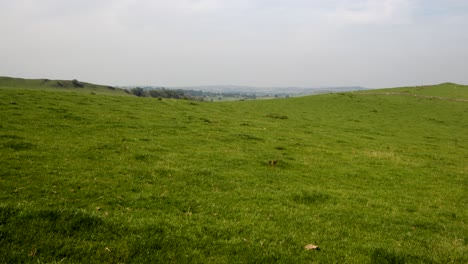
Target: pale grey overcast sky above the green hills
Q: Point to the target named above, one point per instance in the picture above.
(306, 43)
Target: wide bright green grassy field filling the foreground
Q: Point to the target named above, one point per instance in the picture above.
(103, 178)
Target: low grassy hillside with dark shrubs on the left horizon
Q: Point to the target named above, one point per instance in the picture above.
(65, 85)
